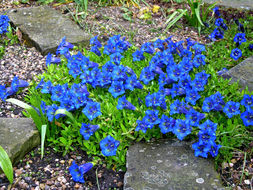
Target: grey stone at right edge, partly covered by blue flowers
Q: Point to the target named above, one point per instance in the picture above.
(243, 72)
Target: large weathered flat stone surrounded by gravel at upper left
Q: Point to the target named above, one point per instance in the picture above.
(44, 27)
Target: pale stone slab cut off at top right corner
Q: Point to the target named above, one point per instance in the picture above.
(238, 4)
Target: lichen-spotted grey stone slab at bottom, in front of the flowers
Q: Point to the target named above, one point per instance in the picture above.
(170, 165)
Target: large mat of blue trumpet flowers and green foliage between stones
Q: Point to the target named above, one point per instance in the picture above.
(148, 106)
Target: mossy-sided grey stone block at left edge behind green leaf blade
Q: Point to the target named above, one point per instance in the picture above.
(18, 137)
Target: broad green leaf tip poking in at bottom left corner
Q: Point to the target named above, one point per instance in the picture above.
(6, 164)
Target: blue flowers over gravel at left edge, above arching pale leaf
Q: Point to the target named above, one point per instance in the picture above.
(13, 89)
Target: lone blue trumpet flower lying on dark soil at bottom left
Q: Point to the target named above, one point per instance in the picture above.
(77, 172)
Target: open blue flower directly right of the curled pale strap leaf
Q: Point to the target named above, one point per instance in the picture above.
(92, 110)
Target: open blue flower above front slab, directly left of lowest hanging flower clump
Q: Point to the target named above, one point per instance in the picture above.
(182, 128)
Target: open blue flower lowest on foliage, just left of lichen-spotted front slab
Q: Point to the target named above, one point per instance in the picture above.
(109, 146)
